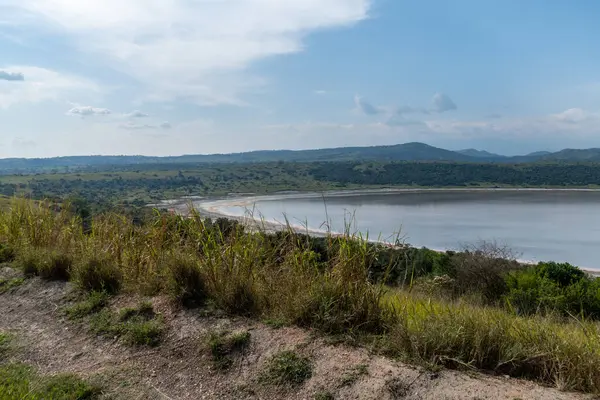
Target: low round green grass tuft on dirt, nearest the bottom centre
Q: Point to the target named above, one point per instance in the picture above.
(287, 368)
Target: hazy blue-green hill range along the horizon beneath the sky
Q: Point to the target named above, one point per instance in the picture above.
(402, 152)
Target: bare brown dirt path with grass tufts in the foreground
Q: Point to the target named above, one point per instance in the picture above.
(181, 369)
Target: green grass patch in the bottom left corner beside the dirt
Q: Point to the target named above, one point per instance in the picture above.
(18, 381)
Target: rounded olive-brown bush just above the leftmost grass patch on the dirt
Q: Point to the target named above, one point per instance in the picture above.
(98, 275)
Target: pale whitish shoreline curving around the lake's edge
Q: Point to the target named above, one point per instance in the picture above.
(211, 207)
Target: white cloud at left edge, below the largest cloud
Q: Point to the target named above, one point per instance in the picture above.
(41, 85)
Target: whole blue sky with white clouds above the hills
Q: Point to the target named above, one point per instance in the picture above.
(175, 77)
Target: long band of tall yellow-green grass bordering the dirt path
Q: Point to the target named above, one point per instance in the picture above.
(281, 277)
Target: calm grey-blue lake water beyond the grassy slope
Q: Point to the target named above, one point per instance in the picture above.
(537, 224)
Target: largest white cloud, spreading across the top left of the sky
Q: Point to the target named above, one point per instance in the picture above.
(196, 50)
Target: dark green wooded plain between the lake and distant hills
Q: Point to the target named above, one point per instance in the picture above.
(130, 188)
